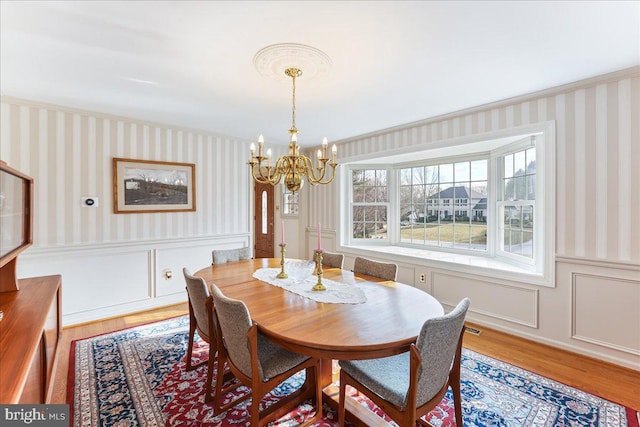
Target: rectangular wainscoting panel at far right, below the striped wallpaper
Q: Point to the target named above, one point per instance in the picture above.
(606, 311)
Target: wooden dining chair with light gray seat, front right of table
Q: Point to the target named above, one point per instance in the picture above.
(409, 385)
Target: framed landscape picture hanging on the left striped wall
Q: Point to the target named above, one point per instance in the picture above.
(141, 186)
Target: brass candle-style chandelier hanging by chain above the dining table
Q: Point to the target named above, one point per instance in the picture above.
(293, 167)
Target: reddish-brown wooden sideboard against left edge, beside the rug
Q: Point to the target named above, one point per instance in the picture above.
(30, 332)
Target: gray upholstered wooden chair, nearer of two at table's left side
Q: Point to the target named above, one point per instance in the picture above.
(259, 363)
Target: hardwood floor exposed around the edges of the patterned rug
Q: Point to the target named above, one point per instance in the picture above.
(612, 382)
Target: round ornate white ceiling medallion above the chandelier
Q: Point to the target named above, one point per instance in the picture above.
(272, 61)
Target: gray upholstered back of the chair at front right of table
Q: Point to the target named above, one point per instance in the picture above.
(438, 343)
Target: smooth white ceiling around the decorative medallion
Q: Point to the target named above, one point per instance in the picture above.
(190, 63)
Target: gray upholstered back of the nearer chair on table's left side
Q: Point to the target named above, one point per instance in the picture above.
(234, 321)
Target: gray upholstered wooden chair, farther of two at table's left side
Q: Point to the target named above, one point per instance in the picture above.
(201, 319)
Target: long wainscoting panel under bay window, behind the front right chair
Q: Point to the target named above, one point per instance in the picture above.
(515, 304)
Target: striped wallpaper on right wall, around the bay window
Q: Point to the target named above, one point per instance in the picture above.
(598, 159)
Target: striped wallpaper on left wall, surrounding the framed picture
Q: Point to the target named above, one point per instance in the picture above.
(69, 154)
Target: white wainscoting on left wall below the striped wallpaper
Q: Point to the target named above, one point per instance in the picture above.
(100, 281)
